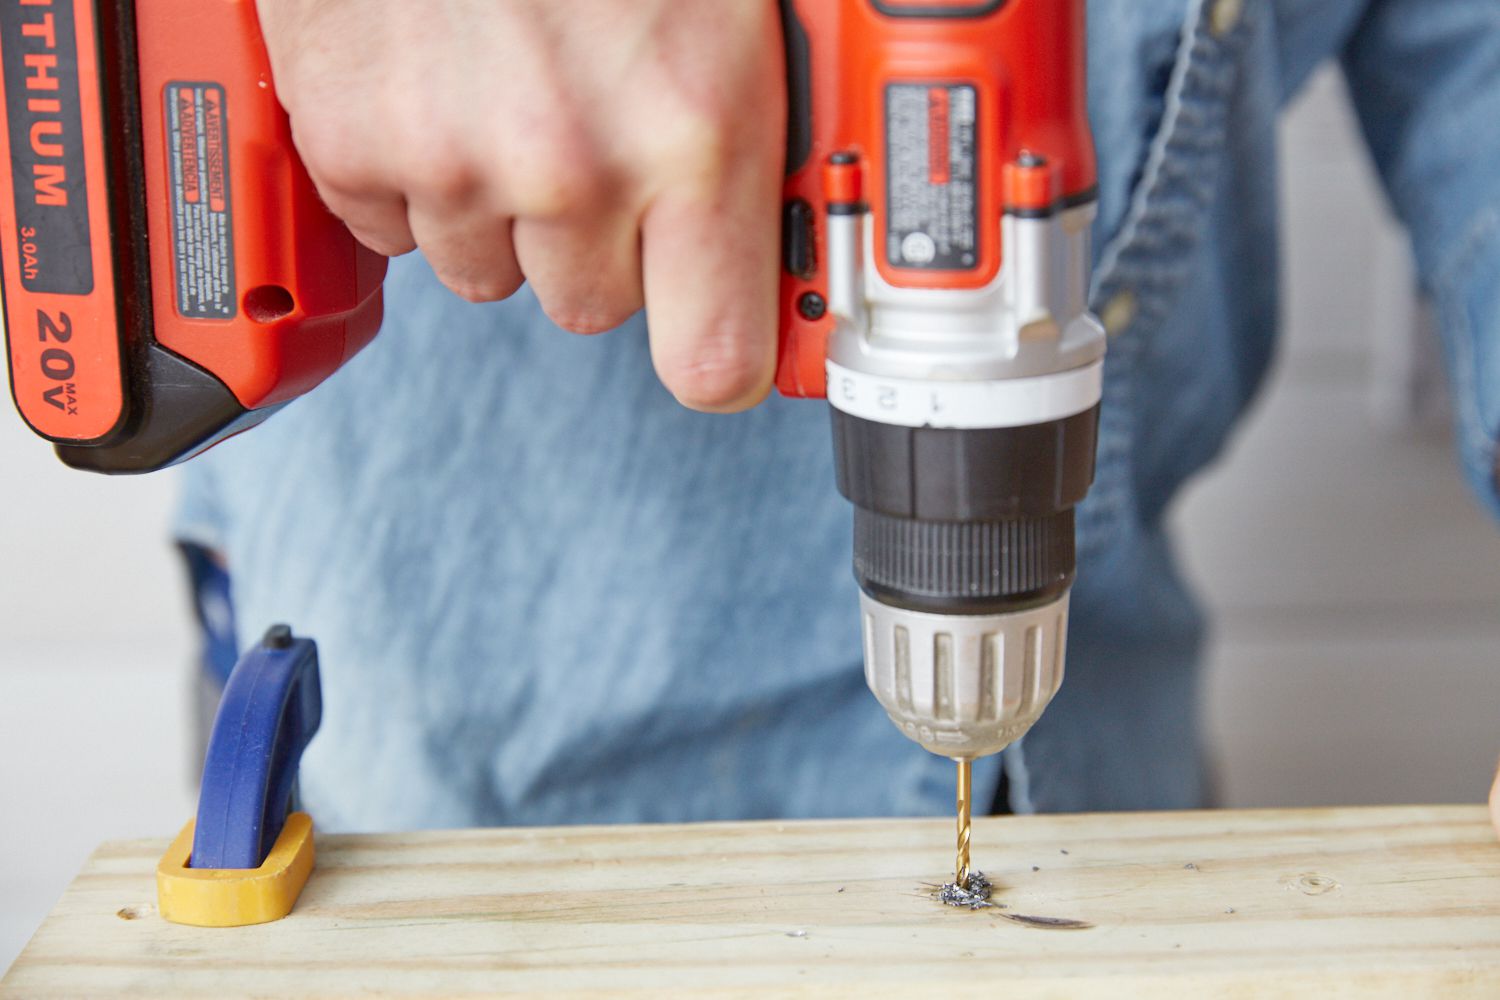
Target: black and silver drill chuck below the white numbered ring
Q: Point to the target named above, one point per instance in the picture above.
(964, 549)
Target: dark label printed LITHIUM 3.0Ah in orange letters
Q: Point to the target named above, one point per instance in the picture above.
(47, 148)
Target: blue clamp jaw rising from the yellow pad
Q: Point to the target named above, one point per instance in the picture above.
(269, 713)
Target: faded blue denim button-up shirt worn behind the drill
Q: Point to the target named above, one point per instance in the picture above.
(548, 594)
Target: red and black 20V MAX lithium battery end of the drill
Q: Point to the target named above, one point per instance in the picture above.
(170, 274)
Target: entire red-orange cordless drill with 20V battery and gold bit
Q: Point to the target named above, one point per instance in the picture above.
(172, 278)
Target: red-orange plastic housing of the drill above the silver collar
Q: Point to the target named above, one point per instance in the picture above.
(1021, 62)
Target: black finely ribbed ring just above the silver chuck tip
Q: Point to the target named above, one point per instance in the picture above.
(964, 567)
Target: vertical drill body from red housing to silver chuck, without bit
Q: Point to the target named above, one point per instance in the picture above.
(950, 182)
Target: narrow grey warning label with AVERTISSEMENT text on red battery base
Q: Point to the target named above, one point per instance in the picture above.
(203, 217)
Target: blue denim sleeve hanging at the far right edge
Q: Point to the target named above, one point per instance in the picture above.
(1426, 80)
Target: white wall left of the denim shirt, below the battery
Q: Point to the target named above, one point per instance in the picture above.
(94, 653)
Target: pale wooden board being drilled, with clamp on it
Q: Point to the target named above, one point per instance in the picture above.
(1388, 902)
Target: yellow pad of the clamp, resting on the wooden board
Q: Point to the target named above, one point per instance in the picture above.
(236, 897)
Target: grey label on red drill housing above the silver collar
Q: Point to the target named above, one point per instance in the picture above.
(932, 218)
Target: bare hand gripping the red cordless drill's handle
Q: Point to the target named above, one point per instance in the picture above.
(613, 154)
